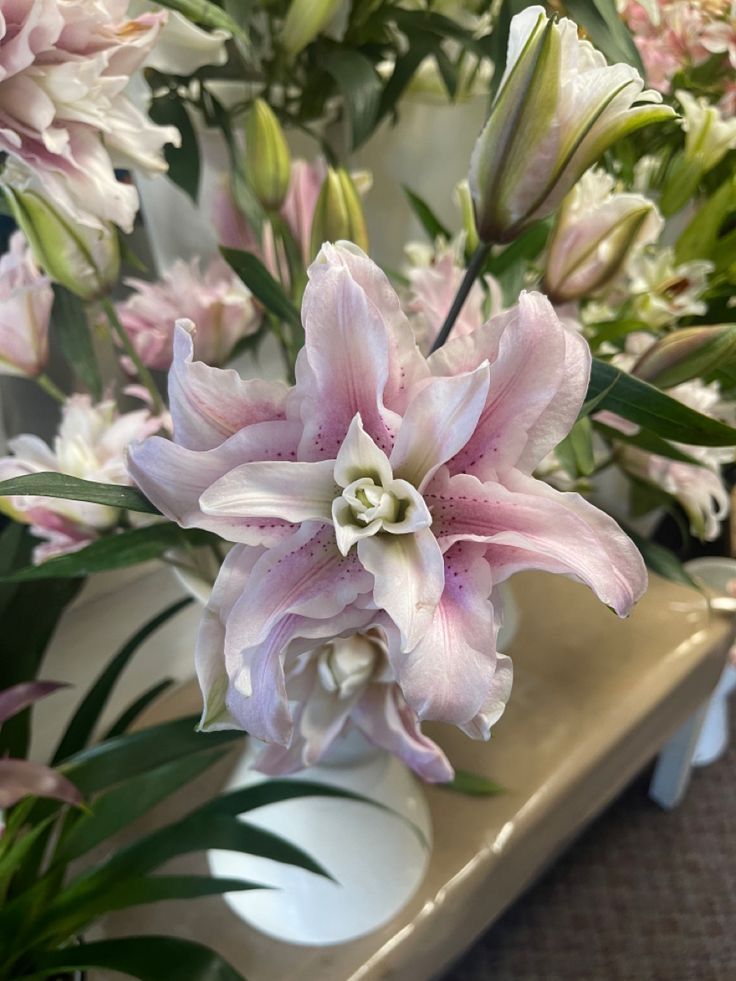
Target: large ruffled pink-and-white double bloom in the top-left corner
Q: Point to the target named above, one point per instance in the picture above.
(63, 67)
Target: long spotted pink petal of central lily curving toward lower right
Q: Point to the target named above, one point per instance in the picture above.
(528, 524)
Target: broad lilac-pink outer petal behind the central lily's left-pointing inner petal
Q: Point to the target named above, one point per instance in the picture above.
(174, 478)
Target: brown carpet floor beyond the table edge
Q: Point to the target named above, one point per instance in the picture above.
(641, 896)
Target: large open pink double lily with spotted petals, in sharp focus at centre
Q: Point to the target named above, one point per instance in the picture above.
(386, 482)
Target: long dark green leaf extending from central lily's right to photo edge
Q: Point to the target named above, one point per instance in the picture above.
(645, 405)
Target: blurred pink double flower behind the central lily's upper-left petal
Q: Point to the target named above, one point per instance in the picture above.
(223, 308)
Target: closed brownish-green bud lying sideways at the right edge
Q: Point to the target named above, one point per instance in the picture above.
(685, 354)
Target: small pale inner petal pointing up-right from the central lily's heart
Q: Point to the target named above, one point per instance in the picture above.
(438, 423)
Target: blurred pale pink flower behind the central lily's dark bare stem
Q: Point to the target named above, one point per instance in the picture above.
(434, 279)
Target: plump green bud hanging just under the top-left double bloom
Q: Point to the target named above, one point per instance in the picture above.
(85, 260)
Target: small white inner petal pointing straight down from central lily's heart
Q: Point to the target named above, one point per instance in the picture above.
(408, 574)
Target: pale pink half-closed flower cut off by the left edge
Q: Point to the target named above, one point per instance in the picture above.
(26, 299)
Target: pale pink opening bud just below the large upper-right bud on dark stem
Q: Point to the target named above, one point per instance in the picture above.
(595, 233)
